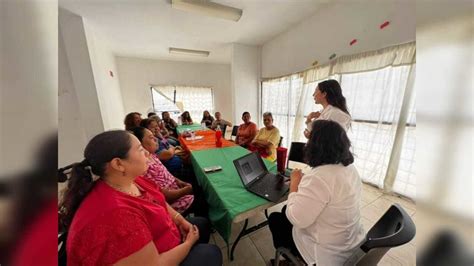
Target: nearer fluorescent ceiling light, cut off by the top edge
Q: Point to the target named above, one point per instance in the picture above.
(208, 8)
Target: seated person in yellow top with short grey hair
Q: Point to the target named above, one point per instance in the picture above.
(267, 139)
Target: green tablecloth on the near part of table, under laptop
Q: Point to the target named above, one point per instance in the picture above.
(224, 190)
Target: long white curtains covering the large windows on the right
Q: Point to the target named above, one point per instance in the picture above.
(375, 85)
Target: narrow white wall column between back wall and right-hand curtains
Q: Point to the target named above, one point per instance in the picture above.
(245, 80)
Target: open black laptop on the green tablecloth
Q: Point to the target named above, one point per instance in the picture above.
(258, 180)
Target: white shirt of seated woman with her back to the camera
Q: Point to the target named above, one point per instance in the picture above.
(325, 213)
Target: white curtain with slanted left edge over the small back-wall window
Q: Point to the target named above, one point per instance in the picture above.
(193, 99)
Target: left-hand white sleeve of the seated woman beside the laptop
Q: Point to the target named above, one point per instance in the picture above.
(305, 205)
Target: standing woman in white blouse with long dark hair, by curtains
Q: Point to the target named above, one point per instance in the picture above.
(329, 94)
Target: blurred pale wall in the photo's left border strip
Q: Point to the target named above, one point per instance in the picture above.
(28, 81)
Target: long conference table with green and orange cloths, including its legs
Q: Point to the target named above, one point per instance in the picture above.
(229, 202)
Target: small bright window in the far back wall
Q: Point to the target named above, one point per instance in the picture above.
(176, 99)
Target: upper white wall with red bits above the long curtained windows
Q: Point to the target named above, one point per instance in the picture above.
(331, 29)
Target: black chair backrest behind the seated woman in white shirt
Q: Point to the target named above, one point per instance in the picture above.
(393, 229)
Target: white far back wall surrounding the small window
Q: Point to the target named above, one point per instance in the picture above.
(137, 74)
